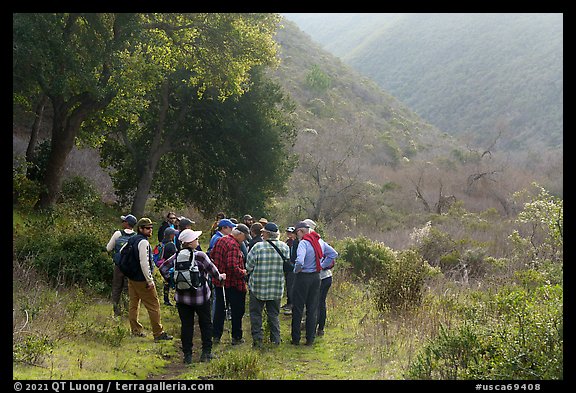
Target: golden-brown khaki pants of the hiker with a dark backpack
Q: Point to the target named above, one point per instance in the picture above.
(138, 293)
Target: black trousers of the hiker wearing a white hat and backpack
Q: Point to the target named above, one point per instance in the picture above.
(186, 313)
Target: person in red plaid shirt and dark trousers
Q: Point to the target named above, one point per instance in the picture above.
(228, 258)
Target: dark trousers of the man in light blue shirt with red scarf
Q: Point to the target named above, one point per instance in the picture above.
(306, 291)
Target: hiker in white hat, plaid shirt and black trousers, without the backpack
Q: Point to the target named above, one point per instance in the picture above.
(196, 301)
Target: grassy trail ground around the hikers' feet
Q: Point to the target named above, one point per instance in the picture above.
(95, 345)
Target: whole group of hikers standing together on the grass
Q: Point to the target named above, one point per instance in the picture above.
(242, 258)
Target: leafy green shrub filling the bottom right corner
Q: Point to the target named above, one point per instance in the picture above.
(514, 334)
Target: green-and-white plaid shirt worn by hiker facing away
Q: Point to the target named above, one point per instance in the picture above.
(264, 265)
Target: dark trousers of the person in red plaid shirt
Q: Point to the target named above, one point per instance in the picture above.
(237, 301)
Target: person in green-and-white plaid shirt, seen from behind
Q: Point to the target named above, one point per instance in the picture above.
(265, 268)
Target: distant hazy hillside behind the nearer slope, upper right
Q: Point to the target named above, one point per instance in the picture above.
(468, 74)
